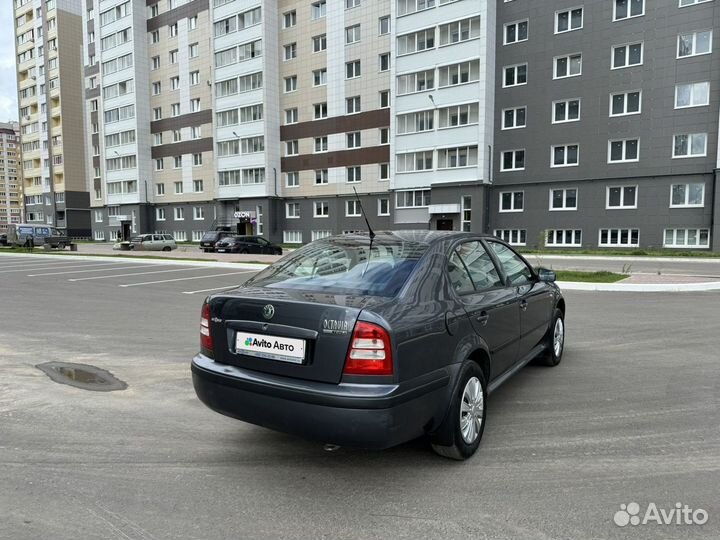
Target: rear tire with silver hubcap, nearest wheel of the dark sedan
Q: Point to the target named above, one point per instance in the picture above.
(469, 401)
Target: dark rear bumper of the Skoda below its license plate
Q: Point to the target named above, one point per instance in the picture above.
(361, 415)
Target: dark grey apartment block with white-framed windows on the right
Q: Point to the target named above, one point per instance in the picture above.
(607, 124)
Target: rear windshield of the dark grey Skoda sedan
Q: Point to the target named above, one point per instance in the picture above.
(345, 266)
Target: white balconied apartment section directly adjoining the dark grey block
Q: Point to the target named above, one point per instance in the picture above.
(442, 102)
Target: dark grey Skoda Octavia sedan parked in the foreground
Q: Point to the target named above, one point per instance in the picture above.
(372, 343)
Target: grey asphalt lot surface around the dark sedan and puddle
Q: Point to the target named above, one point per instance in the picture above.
(631, 415)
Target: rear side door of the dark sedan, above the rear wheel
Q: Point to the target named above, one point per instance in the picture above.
(493, 308)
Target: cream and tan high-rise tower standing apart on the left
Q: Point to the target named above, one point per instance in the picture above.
(48, 38)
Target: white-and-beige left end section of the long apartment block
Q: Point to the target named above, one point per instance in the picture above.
(149, 117)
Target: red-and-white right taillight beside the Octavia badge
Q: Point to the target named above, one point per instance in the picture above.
(370, 352)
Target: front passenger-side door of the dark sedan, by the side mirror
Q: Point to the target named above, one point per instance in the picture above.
(536, 297)
